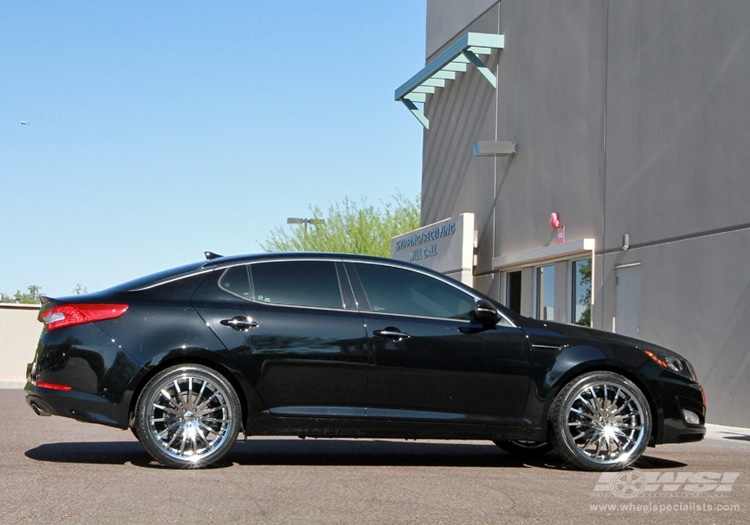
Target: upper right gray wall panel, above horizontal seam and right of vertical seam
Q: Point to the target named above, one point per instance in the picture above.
(678, 118)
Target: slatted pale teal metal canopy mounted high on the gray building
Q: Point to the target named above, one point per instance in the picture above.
(456, 59)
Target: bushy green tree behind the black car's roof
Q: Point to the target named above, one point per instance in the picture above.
(349, 227)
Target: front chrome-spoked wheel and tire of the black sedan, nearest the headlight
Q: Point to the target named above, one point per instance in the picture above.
(600, 421)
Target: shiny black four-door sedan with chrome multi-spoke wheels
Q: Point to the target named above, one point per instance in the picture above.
(332, 345)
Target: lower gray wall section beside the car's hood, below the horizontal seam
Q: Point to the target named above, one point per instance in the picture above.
(696, 300)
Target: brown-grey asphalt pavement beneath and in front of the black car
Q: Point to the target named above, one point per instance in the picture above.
(56, 470)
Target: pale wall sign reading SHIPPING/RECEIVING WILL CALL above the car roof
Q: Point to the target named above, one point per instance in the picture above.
(446, 246)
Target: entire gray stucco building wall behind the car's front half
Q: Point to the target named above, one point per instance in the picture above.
(631, 117)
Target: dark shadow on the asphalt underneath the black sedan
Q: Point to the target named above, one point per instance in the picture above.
(333, 452)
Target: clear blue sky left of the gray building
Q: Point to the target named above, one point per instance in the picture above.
(157, 130)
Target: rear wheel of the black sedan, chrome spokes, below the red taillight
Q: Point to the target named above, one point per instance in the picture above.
(188, 416)
